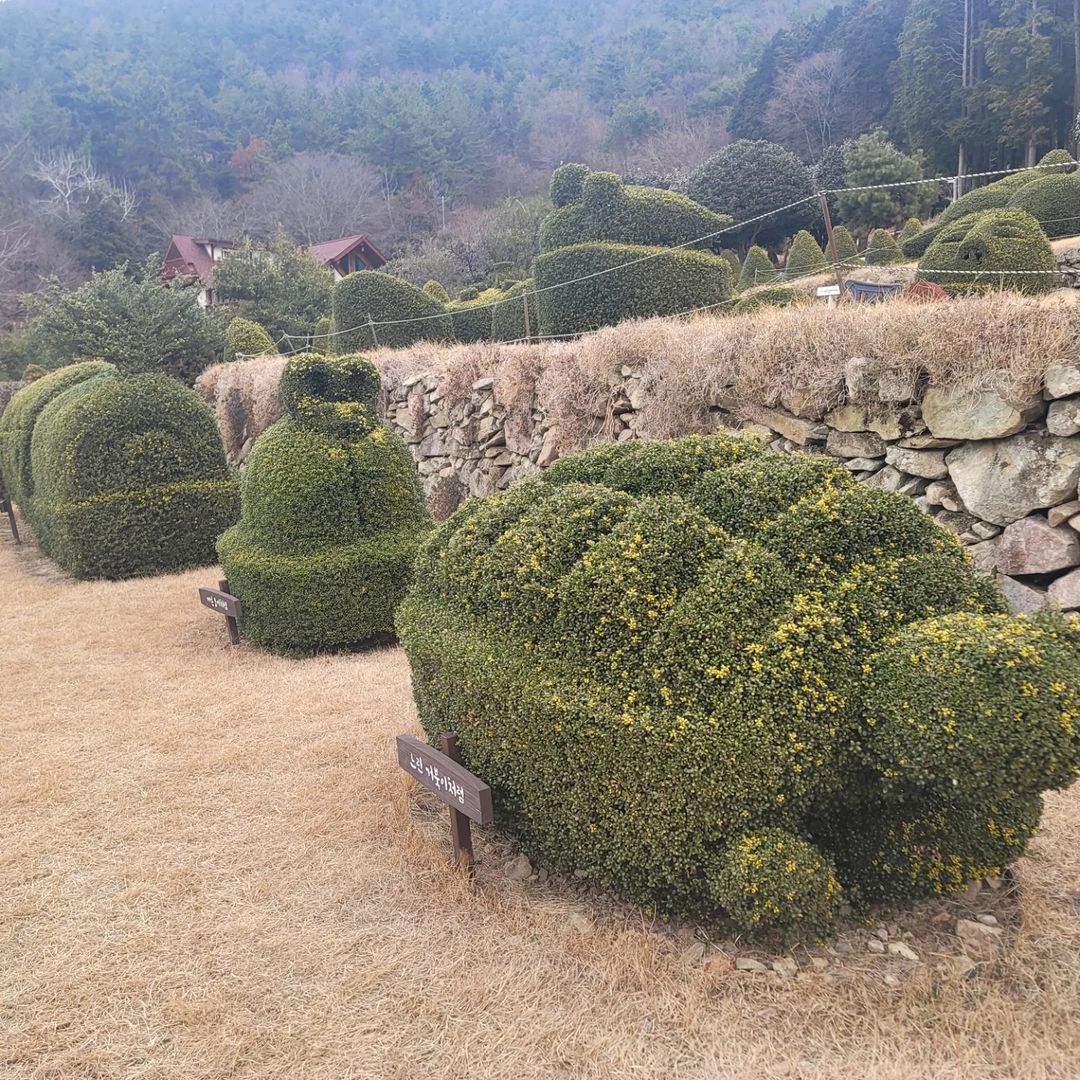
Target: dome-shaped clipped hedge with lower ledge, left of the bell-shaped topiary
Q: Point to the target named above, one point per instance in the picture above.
(129, 479)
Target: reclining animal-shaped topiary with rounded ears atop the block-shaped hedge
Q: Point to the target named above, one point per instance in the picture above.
(600, 207)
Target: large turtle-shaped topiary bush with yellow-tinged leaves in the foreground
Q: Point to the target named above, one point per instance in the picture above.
(725, 681)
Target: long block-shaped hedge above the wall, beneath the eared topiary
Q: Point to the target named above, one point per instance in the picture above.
(667, 282)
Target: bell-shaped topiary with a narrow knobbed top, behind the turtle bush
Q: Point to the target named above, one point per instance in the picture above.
(333, 515)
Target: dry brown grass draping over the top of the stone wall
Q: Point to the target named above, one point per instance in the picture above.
(998, 342)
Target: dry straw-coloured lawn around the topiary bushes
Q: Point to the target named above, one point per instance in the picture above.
(211, 867)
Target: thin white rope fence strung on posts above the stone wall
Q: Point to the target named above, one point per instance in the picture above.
(735, 227)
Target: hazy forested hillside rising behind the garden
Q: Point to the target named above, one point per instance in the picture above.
(434, 126)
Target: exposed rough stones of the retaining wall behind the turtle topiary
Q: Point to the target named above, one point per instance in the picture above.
(1002, 474)
